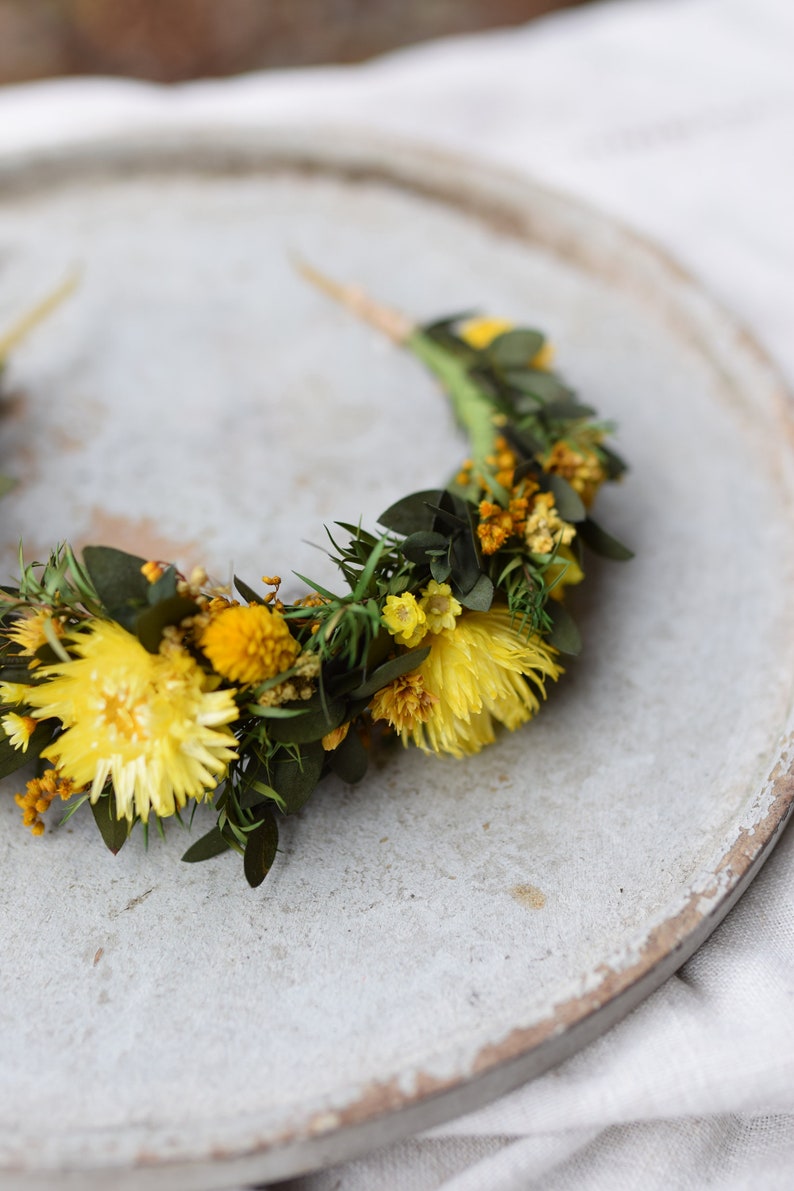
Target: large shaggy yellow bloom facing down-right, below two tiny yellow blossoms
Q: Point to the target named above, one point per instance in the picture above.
(482, 671)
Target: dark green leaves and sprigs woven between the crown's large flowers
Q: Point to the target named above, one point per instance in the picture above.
(473, 535)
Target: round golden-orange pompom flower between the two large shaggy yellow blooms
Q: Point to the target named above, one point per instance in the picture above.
(249, 645)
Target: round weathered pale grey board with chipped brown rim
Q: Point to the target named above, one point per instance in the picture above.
(445, 931)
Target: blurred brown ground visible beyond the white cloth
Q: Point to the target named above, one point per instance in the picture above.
(168, 41)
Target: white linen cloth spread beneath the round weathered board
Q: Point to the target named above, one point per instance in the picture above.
(677, 116)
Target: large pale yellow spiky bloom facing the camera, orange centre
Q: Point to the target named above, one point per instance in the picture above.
(151, 724)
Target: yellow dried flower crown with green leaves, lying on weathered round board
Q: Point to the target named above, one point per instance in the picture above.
(141, 691)
